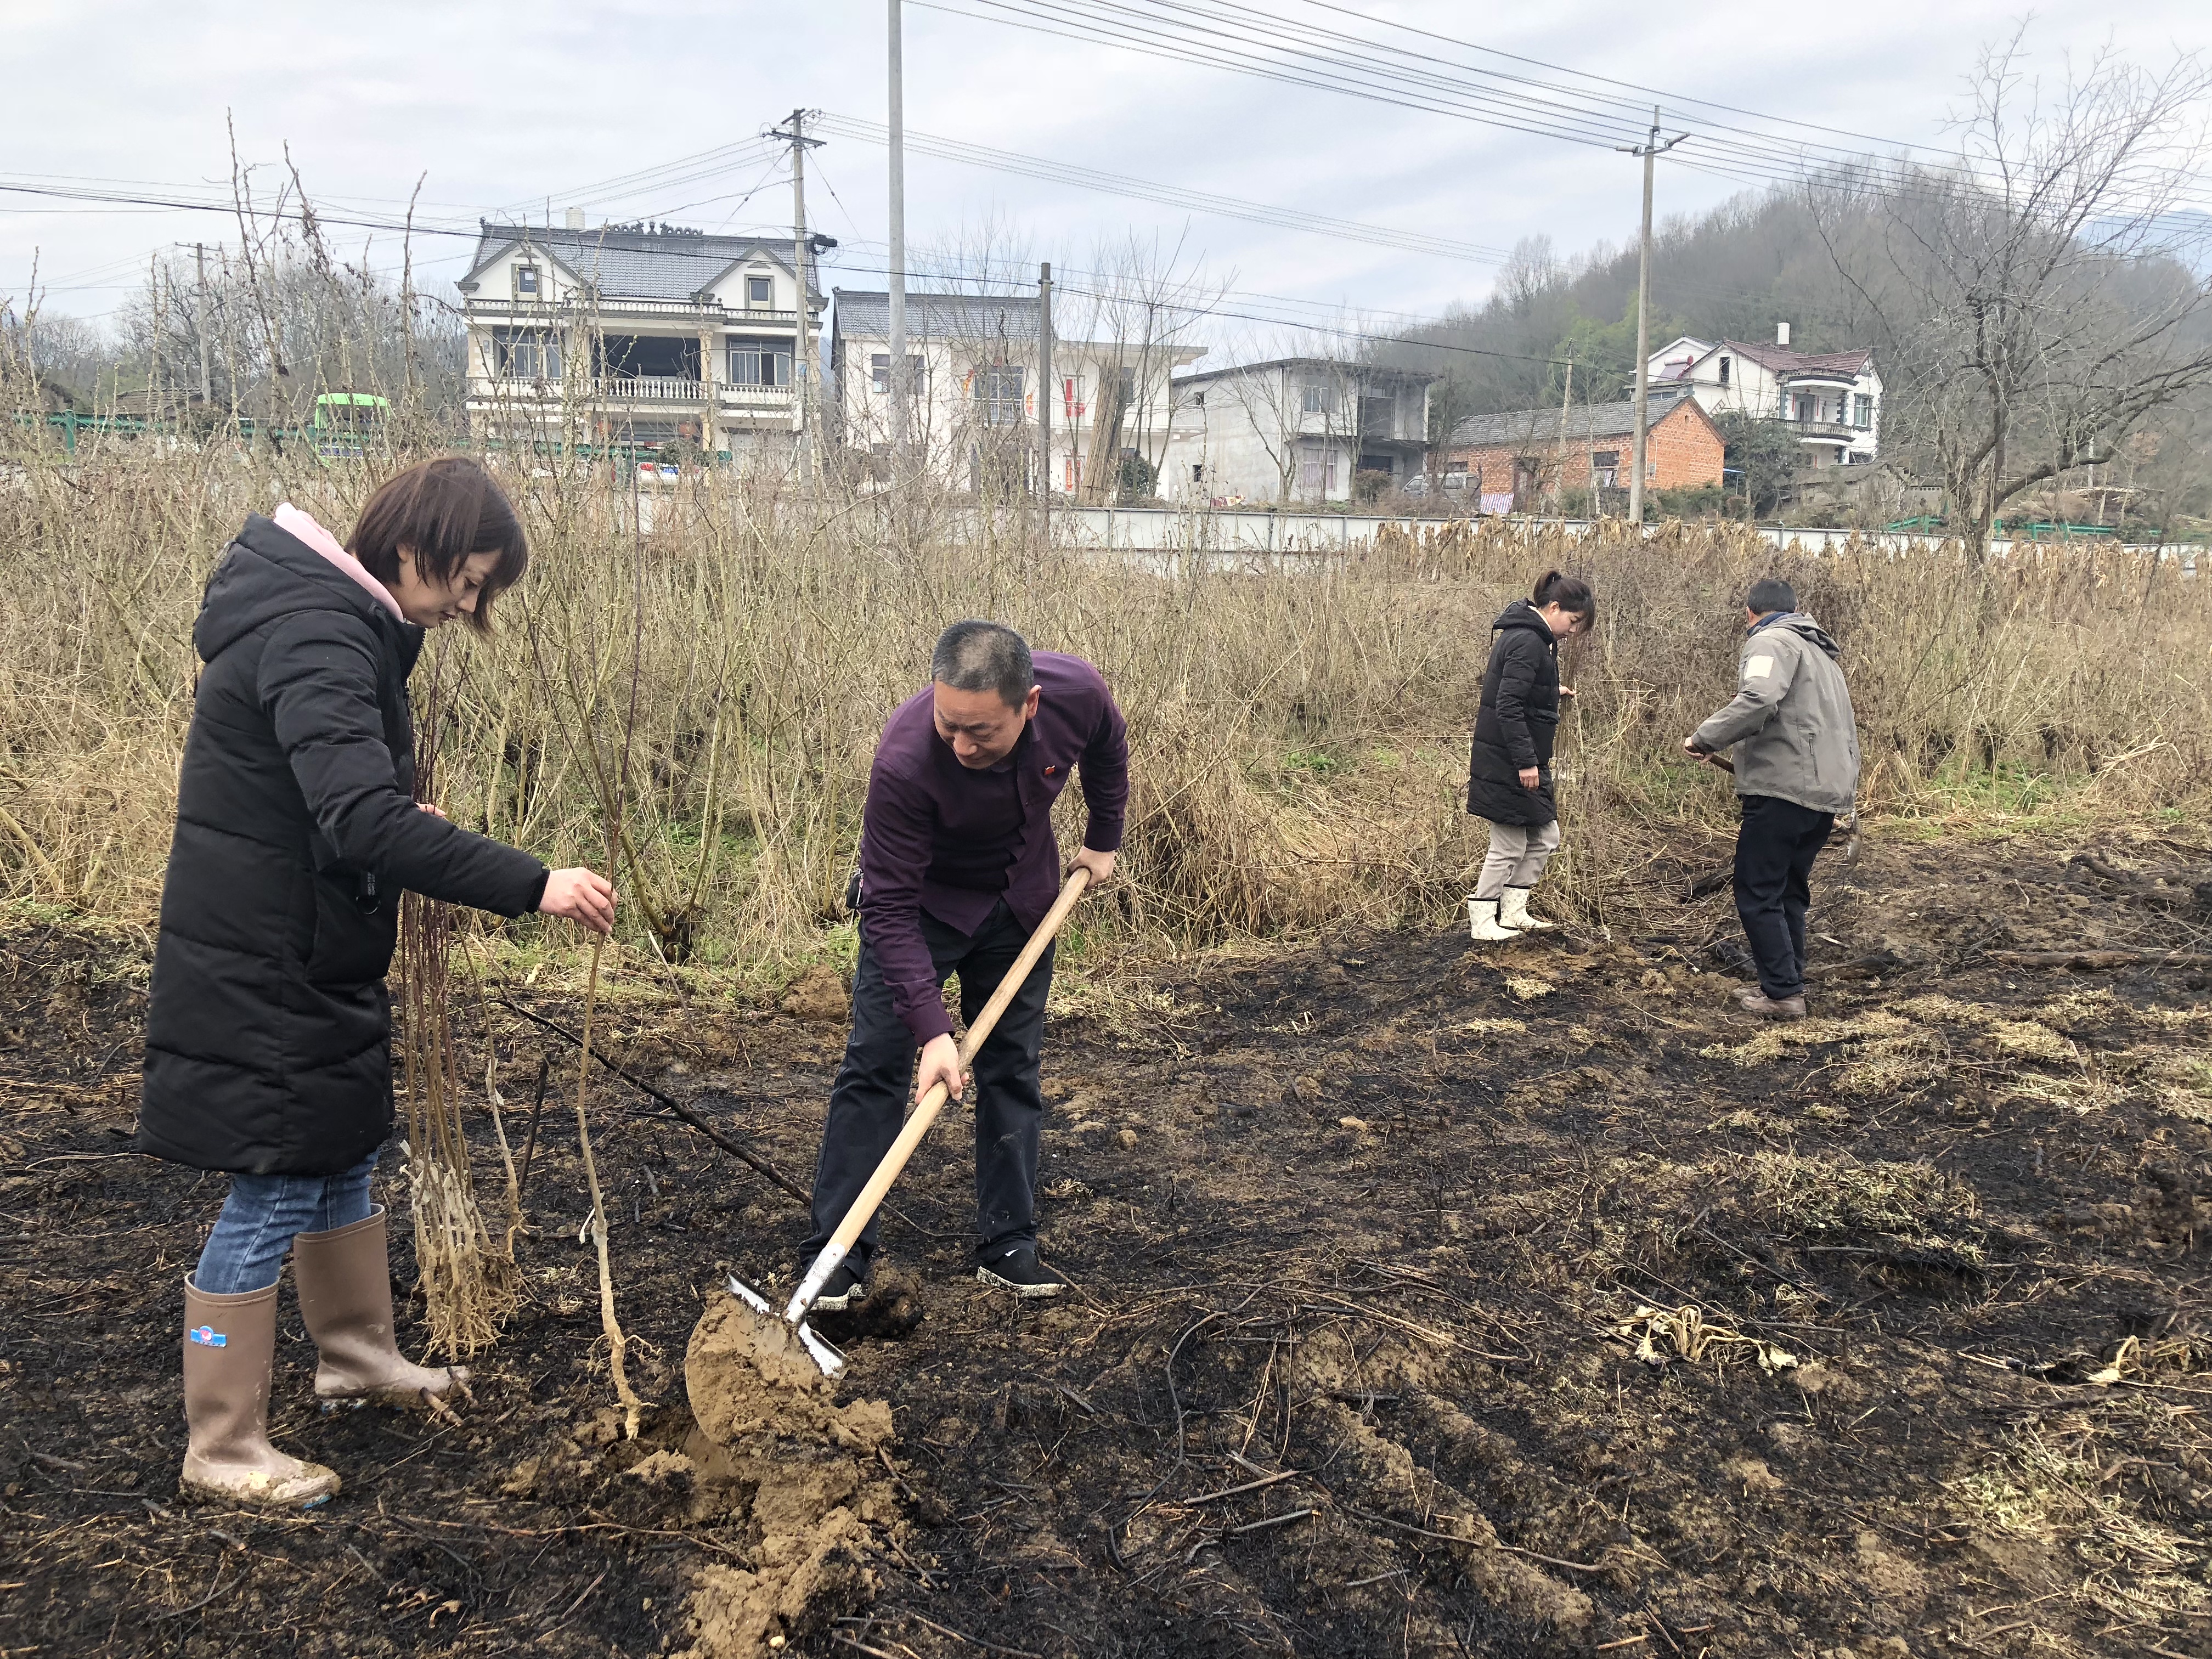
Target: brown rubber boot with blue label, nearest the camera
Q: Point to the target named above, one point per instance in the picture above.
(229, 1353)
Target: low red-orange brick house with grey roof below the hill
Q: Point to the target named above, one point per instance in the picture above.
(1514, 461)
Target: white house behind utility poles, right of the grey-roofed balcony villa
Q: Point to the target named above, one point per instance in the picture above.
(974, 373)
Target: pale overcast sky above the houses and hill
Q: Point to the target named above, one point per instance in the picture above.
(512, 107)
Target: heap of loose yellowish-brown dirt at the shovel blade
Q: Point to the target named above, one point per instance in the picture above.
(775, 1448)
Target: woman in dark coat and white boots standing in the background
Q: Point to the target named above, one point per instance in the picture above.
(1510, 764)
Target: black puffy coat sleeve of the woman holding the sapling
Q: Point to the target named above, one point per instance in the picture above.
(320, 689)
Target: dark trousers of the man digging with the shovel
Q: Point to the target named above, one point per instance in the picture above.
(870, 1098)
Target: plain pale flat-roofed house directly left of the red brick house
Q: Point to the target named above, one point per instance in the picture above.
(1295, 430)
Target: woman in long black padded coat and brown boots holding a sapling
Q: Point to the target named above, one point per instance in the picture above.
(269, 1032)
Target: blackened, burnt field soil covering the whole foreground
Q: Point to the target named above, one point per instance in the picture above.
(1428, 1300)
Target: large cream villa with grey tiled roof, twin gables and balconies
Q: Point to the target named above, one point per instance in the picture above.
(634, 335)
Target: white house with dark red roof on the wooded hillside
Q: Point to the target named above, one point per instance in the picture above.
(1833, 399)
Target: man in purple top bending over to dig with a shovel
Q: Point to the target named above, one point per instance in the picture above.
(959, 866)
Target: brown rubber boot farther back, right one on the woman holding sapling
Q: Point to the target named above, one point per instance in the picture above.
(346, 1300)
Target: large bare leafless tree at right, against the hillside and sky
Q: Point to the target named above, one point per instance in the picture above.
(2041, 298)
